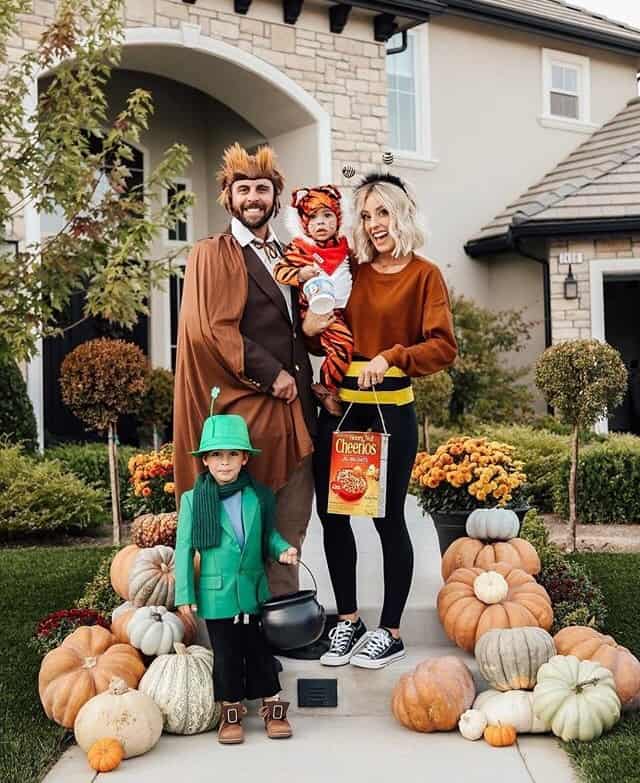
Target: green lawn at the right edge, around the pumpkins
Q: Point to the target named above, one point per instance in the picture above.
(615, 757)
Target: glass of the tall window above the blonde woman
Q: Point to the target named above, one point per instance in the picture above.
(403, 96)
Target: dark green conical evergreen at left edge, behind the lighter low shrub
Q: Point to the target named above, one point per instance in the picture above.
(17, 422)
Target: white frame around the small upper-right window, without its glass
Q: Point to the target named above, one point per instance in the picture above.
(581, 124)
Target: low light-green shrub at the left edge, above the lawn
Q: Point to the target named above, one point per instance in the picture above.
(40, 497)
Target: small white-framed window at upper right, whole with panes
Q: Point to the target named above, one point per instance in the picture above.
(566, 89)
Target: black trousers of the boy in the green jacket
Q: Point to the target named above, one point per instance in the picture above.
(243, 666)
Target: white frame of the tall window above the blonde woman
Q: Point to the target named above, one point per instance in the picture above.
(421, 157)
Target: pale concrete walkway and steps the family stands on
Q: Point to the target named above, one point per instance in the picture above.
(359, 741)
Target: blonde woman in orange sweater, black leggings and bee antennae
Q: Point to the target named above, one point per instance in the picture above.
(400, 318)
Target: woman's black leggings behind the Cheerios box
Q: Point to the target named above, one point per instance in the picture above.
(339, 541)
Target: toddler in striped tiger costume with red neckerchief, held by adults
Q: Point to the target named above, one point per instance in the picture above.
(321, 251)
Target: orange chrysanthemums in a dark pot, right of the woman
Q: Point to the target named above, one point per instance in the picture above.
(464, 474)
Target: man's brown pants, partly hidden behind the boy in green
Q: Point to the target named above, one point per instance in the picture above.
(293, 511)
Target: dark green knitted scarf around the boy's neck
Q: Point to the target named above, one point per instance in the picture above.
(207, 508)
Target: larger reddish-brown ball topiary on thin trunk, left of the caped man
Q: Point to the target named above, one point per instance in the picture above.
(101, 380)
